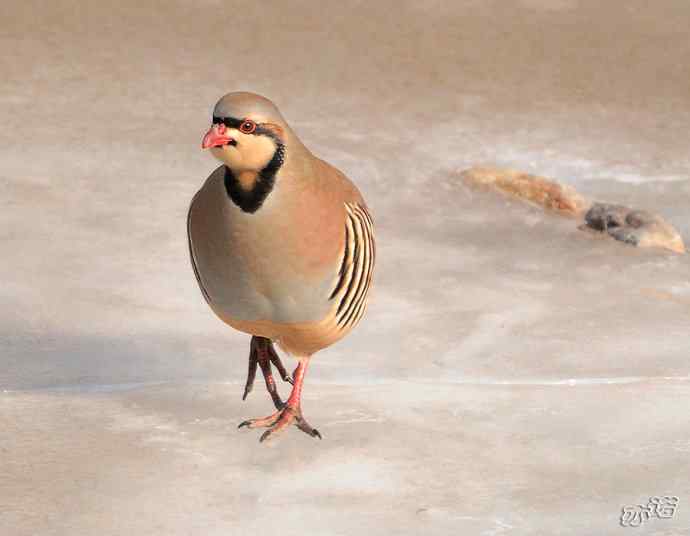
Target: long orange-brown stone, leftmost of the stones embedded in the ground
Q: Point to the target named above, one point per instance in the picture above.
(544, 192)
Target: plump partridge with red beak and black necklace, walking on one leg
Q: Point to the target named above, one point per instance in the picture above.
(282, 247)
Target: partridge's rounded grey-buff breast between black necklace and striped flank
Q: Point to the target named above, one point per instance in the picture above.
(277, 264)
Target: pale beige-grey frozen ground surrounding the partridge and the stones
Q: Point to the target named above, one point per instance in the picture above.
(513, 375)
